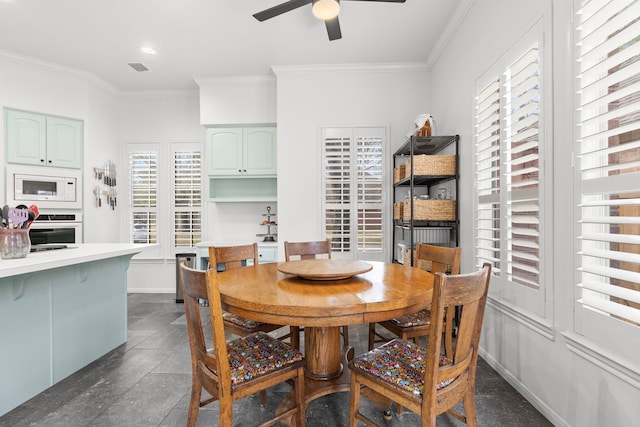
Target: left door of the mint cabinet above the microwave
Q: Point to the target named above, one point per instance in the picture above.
(26, 138)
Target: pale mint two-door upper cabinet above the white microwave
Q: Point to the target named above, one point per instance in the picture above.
(36, 139)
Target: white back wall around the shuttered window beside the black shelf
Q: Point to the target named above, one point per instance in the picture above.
(310, 98)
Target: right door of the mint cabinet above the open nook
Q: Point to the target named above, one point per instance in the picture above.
(260, 151)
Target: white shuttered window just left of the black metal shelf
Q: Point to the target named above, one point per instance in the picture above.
(353, 191)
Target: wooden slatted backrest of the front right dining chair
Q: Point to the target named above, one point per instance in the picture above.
(469, 292)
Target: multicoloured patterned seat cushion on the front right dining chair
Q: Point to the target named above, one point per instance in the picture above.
(401, 363)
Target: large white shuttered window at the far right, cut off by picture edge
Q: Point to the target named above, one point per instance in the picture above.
(608, 173)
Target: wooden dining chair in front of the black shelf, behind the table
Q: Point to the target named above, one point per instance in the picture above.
(435, 259)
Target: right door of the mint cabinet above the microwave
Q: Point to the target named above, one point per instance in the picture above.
(64, 143)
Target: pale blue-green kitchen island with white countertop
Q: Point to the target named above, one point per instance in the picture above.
(59, 311)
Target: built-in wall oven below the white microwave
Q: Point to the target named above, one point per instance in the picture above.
(56, 228)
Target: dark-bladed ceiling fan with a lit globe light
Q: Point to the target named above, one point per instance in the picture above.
(327, 10)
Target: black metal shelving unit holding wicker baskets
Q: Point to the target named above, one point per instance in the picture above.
(425, 194)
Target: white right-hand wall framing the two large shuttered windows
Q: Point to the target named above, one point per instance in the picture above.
(569, 389)
